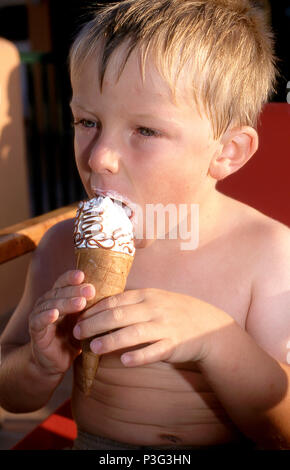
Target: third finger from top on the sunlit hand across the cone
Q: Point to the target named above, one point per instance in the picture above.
(133, 335)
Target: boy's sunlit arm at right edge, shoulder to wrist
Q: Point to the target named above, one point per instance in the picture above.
(248, 369)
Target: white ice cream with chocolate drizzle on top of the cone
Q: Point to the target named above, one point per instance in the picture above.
(103, 223)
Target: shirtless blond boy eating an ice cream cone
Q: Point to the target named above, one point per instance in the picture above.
(165, 92)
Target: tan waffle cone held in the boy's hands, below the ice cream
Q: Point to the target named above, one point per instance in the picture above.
(107, 270)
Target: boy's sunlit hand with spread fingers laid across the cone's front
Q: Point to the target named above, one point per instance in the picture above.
(167, 326)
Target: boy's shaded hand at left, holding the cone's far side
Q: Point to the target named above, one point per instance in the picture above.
(52, 320)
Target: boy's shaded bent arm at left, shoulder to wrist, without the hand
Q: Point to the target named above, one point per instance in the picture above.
(23, 386)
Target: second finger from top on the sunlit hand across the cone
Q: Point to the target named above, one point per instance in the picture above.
(118, 317)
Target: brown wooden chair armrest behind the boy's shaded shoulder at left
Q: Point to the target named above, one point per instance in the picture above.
(21, 238)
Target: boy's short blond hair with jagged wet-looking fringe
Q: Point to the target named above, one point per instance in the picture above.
(225, 45)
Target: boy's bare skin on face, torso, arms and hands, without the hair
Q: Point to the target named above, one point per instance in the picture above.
(205, 330)
